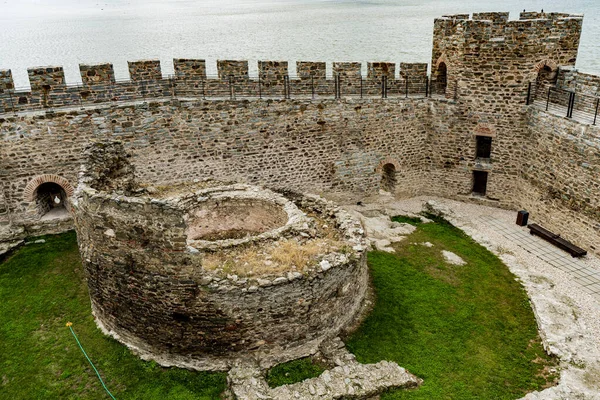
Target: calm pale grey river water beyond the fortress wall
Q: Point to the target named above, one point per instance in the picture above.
(69, 32)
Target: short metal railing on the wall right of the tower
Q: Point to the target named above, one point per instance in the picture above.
(578, 106)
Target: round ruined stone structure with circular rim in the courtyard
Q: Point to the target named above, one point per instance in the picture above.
(202, 274)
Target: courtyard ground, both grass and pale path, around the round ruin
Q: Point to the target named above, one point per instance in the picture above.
(423, 310)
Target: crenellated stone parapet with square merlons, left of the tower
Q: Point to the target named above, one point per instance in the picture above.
(50, 90)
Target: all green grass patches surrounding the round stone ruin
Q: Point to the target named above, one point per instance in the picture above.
(468, 331)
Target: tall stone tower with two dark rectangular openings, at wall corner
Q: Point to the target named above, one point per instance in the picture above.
(486, 64)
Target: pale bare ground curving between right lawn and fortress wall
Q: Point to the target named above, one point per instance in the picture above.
(568, 316)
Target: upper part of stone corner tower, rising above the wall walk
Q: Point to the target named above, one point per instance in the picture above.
(489, 50)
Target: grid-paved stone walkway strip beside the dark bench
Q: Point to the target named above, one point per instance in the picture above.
(585, 271)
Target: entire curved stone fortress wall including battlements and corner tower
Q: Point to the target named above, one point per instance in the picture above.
(467, 131)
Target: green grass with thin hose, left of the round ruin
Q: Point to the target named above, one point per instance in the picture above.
(42, 288)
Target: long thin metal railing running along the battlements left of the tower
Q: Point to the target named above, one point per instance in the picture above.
(213, 87)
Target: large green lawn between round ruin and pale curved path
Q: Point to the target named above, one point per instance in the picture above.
(468, 331)
